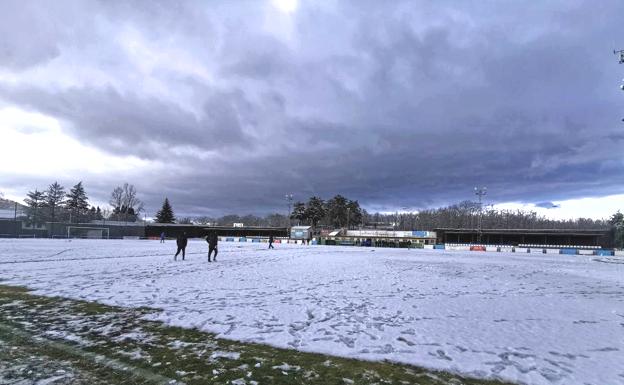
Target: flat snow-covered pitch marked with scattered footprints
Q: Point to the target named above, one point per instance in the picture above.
(530, 318)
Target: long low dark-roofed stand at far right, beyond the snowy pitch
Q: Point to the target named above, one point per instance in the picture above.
(515, 237)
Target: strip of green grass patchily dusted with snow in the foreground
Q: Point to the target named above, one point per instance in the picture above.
(117, 345)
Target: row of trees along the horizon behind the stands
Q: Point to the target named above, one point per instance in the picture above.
(55, 204)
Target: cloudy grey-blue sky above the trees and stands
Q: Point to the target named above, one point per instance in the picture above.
(225, 106)
